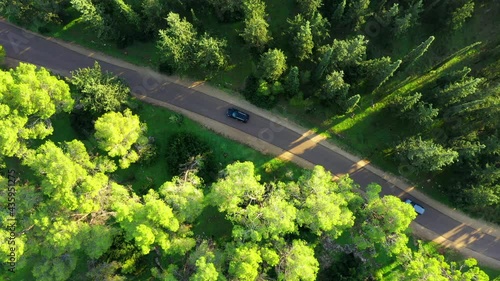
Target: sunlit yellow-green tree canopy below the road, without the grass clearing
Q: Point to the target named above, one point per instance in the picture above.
(73, 213)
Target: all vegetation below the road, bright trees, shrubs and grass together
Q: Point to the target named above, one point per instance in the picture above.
(123, 200)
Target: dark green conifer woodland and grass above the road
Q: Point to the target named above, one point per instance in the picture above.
(383, 79)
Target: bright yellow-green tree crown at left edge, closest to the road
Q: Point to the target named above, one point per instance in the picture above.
(28, 98)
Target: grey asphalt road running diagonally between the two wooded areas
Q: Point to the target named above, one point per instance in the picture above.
(439, 223)
